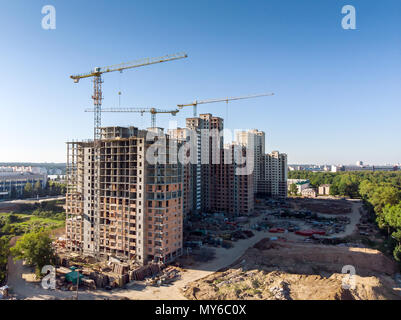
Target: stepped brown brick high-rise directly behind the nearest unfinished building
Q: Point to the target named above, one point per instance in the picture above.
(215, 185)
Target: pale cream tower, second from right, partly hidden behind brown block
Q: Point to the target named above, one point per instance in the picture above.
(257, 140)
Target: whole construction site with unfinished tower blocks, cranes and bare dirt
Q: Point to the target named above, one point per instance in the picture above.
(140, 227)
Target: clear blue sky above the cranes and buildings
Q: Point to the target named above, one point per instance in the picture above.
(337, 91)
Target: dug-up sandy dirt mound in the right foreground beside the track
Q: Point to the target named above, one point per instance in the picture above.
(294, 271)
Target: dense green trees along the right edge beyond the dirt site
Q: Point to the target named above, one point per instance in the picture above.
(380, 191)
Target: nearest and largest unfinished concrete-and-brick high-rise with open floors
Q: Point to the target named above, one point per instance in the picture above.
(141, 201)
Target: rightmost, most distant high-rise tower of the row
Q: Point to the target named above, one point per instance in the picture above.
(275, 175)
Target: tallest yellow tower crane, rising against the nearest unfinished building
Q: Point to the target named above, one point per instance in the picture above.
(97, 97)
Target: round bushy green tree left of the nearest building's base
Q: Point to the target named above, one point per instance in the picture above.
(36, 248)
